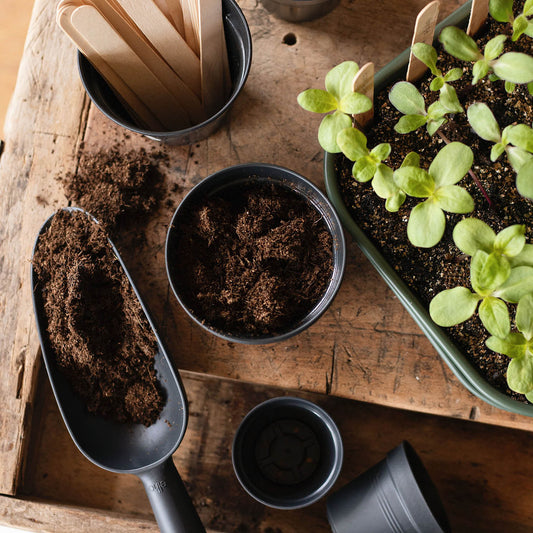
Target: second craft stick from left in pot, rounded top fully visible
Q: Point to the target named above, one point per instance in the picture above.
(94, 28)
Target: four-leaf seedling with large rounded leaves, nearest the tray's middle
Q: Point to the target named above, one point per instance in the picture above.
(438, 185)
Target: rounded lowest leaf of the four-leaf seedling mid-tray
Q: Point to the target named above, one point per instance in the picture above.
(426, 225)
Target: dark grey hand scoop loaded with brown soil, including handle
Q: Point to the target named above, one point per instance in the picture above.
(120, 398)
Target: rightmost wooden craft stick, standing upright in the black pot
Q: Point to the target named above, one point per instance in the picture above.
(211, 55)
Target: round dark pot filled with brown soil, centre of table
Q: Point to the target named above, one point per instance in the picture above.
(255, 253)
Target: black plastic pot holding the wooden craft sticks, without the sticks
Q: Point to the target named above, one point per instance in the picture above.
(239, 44)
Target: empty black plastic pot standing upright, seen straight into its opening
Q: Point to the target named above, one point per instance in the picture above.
(287, 453)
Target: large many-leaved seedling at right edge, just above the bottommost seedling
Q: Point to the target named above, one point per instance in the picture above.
(500, 271)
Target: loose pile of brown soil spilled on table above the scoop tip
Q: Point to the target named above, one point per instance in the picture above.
(111, 184)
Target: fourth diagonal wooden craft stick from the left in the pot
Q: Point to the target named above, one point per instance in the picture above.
(166, 40)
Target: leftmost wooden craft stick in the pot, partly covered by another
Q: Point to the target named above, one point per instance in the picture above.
(141, 114)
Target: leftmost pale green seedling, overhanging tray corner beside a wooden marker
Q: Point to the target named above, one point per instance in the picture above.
(339, 98)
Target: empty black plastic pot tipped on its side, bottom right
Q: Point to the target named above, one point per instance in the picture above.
(394, 496)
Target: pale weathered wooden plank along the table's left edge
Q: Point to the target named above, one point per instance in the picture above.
(43, 130)
